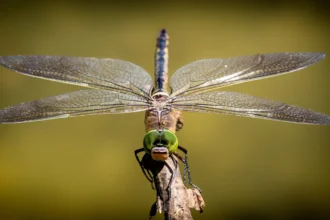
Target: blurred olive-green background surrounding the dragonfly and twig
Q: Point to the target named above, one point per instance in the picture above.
(84, 168)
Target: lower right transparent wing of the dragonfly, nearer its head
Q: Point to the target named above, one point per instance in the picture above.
(249, 106)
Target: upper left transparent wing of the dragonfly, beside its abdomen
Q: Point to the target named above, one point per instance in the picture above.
(108, 74)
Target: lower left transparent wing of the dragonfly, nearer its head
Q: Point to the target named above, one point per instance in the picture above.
(78, 103)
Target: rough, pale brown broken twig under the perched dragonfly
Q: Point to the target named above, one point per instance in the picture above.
(181, 199)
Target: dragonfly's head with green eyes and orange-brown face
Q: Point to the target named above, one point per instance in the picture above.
(160, 144)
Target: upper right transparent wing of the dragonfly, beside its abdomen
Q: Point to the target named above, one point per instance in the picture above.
(203, 75)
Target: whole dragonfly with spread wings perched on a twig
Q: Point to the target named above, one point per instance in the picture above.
(116, 86)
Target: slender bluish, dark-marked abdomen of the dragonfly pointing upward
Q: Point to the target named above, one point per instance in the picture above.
(161, 62)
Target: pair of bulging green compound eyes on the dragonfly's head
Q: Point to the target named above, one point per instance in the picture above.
(165, 137)
